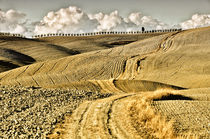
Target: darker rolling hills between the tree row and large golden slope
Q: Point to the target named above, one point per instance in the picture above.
(16, 52)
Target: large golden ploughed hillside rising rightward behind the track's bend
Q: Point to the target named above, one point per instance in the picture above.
(177, 58)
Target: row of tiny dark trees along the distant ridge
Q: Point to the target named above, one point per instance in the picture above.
(93, 33)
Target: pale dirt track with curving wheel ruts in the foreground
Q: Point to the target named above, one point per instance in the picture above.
(98, 119)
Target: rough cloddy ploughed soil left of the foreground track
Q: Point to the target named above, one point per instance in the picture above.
(33, 112)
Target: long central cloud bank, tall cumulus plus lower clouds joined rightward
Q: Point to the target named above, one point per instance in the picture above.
(74, 20)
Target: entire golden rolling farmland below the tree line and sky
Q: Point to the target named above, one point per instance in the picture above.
(154, 85)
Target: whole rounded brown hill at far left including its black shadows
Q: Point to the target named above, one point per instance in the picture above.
(16, 52)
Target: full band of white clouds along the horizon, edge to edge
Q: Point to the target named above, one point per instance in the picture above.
(75, 20)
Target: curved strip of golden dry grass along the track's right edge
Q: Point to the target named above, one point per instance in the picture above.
(144, 117)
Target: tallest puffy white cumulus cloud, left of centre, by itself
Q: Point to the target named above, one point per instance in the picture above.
(69, 20)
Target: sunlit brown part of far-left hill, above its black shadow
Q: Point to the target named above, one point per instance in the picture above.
(38, 50)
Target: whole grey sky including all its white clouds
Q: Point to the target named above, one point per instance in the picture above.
(115, 14)
